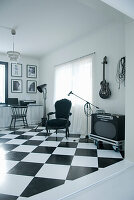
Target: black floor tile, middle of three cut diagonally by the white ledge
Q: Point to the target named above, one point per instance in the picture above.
(77, 172)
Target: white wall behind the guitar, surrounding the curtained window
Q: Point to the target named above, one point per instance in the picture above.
(109, 41)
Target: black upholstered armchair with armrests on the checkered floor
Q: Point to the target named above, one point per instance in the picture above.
(62, 113)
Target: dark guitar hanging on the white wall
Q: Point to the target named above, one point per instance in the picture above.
(104, 91)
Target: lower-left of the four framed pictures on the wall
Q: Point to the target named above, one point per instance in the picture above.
(16, 85)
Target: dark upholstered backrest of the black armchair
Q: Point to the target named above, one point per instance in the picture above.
(62, 108)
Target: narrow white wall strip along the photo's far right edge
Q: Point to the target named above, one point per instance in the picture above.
(129, 105)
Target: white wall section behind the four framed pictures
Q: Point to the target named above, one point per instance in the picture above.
(24, 95)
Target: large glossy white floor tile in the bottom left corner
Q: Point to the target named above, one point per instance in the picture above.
(14, 184)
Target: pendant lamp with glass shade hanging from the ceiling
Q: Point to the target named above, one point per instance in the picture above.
(13, 55)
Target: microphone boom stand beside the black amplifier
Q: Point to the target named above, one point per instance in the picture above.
(87, 108)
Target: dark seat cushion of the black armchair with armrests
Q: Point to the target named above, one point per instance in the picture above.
(58, 123)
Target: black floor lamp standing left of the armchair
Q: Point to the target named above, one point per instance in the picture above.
(43, 89)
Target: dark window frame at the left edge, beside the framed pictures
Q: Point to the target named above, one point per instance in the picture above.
(6, 81)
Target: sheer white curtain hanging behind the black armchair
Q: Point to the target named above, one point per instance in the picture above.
(75, 76)
